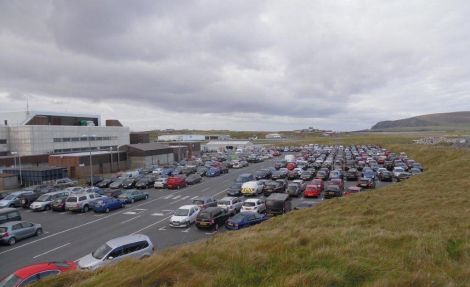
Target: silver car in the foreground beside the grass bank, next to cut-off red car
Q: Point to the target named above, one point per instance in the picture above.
(136, 246)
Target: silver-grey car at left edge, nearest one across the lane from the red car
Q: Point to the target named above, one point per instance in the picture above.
(11, 232)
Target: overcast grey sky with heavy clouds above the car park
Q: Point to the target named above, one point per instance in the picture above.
(242, 65)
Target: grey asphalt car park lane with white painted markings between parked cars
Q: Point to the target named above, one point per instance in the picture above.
(69, 236)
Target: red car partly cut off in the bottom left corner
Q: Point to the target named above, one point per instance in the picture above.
(35, 272)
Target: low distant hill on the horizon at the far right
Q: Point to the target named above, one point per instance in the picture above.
(441, 121)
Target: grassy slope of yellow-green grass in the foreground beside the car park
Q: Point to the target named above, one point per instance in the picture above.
(414, 233)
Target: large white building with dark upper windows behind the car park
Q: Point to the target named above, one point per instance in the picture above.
(34, 133)
